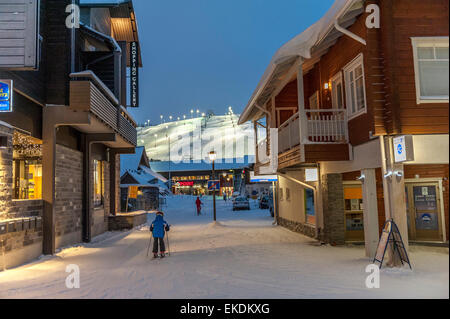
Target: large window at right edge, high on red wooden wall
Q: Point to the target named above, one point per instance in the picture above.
(431, 69)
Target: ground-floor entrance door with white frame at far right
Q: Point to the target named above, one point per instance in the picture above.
(424, 212)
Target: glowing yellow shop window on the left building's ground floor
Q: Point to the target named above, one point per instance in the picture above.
(27, 167)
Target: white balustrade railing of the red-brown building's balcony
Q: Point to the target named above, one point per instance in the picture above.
(326, 126)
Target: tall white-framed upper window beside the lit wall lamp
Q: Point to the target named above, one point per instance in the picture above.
(355, 87)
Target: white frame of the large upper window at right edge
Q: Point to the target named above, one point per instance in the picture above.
(426, 42)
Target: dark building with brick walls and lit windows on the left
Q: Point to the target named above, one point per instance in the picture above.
(66, 64)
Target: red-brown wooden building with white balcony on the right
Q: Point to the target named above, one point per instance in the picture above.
(353, 112)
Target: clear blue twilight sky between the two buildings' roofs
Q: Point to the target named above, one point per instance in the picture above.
(211, 54)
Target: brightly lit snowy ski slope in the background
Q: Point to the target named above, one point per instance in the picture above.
(218, 133)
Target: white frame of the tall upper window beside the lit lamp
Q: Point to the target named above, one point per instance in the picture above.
(351, 67)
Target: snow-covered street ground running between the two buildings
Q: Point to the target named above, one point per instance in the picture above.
(243, 256)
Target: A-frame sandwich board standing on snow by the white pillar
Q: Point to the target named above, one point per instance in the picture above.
(395, 239)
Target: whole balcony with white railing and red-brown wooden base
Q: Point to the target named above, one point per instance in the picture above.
(317, 135)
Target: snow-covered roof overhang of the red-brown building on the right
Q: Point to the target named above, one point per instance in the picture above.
(300, 47)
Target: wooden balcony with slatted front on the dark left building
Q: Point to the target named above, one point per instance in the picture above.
(89, 94)
